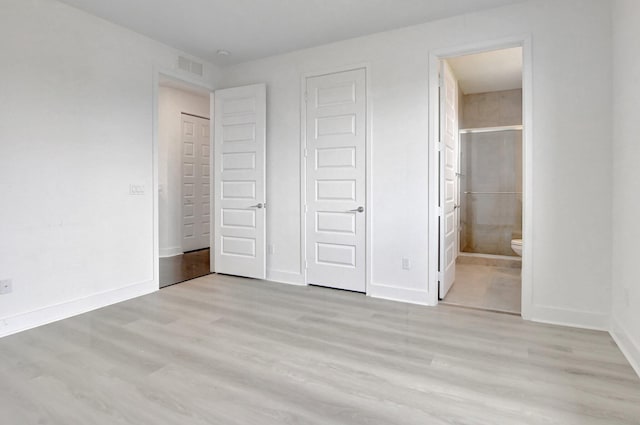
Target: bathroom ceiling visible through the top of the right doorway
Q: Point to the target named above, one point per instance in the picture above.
(489, 71)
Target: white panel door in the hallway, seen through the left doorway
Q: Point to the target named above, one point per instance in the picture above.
(196, 176)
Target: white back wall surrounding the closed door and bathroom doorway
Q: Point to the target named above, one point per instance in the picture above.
(571, 155)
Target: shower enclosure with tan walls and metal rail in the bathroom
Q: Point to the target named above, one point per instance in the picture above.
(490, 189)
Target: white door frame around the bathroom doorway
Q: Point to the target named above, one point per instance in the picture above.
(435, 56)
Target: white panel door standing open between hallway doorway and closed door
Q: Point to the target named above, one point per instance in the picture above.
(240, 194)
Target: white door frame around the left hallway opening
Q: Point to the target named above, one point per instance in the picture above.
(204, 86)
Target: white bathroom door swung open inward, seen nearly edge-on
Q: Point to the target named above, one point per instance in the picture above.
(448, 178)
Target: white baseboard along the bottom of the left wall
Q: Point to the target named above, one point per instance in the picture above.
(23, 321)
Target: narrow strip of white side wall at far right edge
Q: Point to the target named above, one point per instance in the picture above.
(626, 178)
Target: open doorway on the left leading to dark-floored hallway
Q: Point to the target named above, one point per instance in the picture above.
(184, 173)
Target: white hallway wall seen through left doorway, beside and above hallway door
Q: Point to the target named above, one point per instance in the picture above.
(172, 102)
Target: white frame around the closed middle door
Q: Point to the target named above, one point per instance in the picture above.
(368, 171)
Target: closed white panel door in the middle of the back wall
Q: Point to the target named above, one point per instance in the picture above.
(336, 180)
